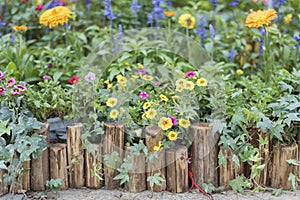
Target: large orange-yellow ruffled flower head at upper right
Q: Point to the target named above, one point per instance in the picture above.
(260, 18)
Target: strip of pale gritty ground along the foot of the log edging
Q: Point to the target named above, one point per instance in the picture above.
(88, 194)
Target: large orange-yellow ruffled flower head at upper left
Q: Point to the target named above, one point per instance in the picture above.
(55, 16)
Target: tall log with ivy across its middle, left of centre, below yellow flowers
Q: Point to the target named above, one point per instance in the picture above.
(113, 142)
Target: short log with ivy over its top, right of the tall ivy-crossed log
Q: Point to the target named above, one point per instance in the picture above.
(137, 177)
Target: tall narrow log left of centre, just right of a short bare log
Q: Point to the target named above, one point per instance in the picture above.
(75, 156)
